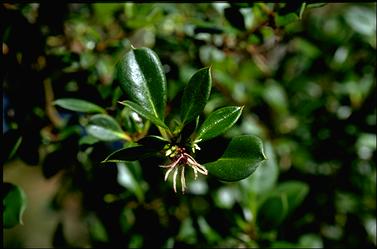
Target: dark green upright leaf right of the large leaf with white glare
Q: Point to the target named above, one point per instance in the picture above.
(195, 95)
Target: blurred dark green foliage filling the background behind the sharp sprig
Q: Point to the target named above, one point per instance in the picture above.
(304, 72)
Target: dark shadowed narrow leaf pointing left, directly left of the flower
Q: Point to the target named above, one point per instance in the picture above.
(130, 154)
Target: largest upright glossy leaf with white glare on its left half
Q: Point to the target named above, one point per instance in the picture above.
(142, 78)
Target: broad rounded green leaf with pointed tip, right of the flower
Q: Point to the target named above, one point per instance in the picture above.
(240, 159)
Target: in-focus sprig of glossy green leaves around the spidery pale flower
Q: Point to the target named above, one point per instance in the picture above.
(140, 66)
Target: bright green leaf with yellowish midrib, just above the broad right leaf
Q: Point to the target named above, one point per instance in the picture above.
(218, 122)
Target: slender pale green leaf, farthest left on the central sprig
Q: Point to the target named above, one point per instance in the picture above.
(78, 105)
